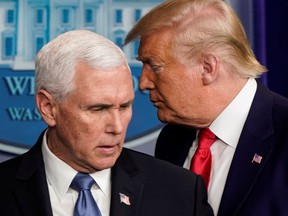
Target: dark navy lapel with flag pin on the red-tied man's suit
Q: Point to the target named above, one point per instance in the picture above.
(243, 173)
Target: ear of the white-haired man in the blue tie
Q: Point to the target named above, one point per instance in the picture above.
(46, 106)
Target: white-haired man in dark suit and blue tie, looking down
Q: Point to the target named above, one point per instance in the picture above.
(84, 93)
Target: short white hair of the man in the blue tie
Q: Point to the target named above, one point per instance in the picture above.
(55, 63)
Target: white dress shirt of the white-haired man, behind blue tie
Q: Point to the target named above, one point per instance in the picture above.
(59, 176)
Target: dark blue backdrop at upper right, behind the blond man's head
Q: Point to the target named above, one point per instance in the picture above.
(273, 36)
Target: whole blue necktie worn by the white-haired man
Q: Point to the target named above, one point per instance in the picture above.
(85, 204)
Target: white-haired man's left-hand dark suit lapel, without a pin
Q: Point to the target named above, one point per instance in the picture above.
(31, 191)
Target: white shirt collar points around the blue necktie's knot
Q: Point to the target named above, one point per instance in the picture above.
(60, 175)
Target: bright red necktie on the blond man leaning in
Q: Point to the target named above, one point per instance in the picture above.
(202, 160)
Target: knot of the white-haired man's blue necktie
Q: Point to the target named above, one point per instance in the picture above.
(82, 182)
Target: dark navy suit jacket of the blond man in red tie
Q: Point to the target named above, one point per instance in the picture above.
(251, 188)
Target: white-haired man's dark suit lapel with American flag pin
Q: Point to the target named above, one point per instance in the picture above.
(127, 180)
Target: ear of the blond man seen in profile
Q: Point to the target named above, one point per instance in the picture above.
(210, 68)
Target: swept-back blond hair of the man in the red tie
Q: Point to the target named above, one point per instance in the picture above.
(200, 27)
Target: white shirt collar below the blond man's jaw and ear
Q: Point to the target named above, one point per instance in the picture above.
(229, 124)
